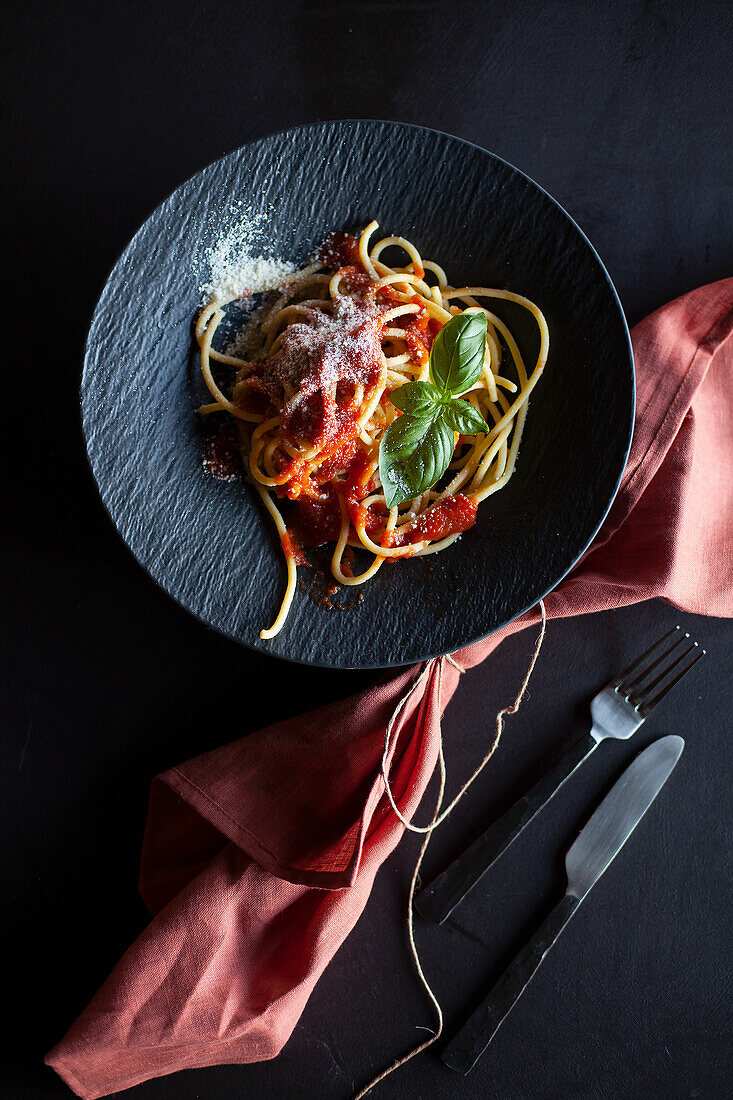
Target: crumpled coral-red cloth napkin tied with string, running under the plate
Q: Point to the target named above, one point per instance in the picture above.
(260, 857)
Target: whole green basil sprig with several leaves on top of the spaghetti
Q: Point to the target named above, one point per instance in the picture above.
(419, 446)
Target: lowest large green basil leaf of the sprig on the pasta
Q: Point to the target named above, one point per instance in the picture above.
(414, 455)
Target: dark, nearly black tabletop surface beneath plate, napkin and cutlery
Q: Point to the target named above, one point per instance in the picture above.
(622, 113)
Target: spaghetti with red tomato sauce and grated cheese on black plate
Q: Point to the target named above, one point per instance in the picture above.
(312, 403)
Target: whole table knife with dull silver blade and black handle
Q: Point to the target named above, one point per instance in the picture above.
(603, 839)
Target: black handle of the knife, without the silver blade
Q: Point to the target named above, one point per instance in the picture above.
(477, 1033)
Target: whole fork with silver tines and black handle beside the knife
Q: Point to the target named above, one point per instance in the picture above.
(618, 711)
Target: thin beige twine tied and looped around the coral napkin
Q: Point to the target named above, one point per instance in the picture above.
(437, 819)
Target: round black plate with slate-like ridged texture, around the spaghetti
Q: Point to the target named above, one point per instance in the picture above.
(209, 544)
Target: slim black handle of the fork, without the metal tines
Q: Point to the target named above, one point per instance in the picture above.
(440, 898)
